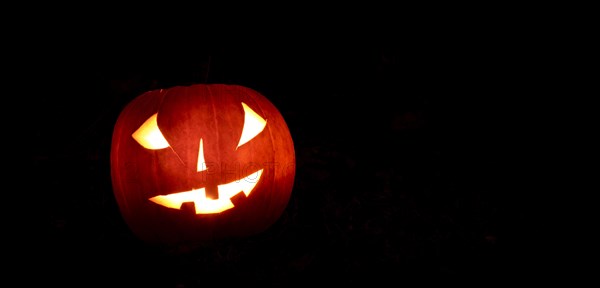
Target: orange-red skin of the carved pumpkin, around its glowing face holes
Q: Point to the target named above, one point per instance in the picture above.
(201, 123)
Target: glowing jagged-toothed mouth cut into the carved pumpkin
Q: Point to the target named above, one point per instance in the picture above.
(204, 205)
